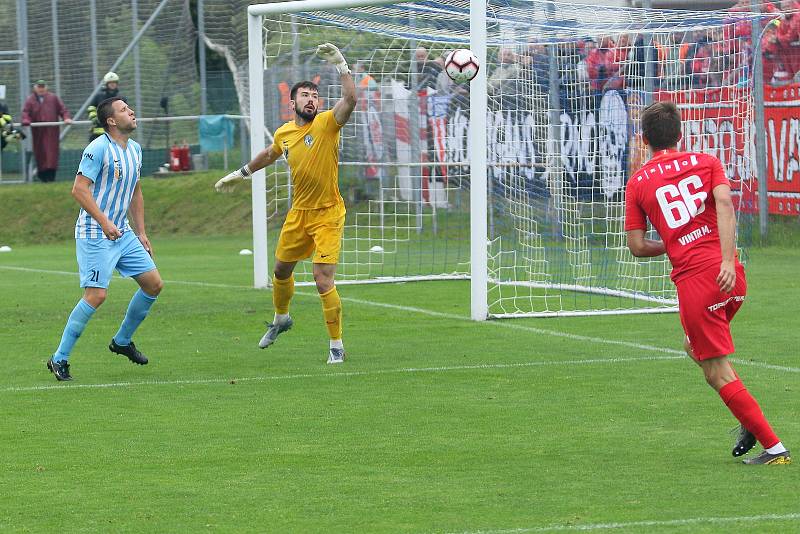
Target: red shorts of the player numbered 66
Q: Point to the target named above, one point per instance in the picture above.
(706, 312)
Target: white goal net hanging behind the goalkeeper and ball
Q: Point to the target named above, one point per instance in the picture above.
(563, 87)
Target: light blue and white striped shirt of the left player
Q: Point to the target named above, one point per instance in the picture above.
(114, 172)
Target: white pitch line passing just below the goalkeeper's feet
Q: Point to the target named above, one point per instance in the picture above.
(342, 374)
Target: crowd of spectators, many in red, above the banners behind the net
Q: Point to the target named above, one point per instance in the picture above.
(701, 58)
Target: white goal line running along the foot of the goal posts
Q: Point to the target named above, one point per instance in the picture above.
(452, 316)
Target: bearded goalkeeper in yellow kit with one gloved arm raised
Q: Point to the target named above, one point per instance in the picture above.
(315, 222)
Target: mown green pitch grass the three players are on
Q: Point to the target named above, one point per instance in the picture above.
(434, 424)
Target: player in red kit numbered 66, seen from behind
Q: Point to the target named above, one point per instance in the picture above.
(687, 198)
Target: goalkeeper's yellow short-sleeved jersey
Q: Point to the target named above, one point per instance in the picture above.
(312, 151)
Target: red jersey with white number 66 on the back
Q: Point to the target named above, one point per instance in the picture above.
(674, 191)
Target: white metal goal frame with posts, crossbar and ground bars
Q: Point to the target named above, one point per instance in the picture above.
(478, 164)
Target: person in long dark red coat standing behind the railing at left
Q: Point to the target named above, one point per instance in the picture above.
(44, 106)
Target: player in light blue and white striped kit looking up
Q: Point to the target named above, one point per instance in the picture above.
(107, 188)
